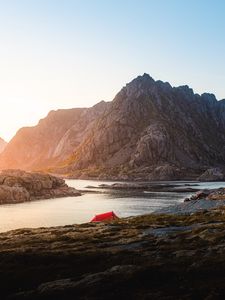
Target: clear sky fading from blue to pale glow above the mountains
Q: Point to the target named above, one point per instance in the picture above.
(74, 53)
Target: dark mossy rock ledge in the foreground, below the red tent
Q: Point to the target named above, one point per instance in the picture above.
(146, 257)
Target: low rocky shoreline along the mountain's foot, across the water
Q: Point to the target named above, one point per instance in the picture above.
(147, 174)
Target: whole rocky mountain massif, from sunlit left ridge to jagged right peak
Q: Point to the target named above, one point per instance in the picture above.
(149, 131)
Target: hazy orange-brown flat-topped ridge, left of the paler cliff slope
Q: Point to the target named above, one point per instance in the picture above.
(34, 146)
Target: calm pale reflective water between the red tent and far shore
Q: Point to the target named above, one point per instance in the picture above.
(81, 209)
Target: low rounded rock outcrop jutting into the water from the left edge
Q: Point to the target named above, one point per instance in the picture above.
(20, 186)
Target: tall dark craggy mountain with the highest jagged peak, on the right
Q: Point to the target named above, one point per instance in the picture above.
(155, 130)
